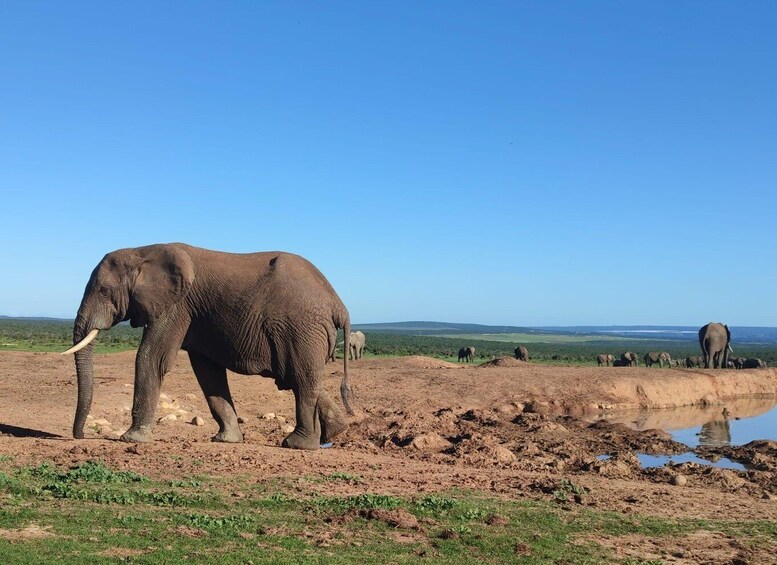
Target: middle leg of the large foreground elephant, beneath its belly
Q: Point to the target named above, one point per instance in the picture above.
(213, 382)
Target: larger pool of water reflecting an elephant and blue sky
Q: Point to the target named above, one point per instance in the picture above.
(734, 423)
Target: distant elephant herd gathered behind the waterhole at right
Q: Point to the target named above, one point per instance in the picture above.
(715, 343)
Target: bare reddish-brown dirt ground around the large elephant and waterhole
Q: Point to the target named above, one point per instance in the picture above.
(506, 428)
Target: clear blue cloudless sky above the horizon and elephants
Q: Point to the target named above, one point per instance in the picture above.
(522, 163)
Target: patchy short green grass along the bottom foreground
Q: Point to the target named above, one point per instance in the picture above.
(276, 522)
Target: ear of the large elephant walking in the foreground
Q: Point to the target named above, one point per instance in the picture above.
(165, 274)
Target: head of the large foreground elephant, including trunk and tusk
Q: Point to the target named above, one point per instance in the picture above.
(140, 285)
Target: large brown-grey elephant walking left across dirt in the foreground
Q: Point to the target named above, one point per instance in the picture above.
(271, 314)
